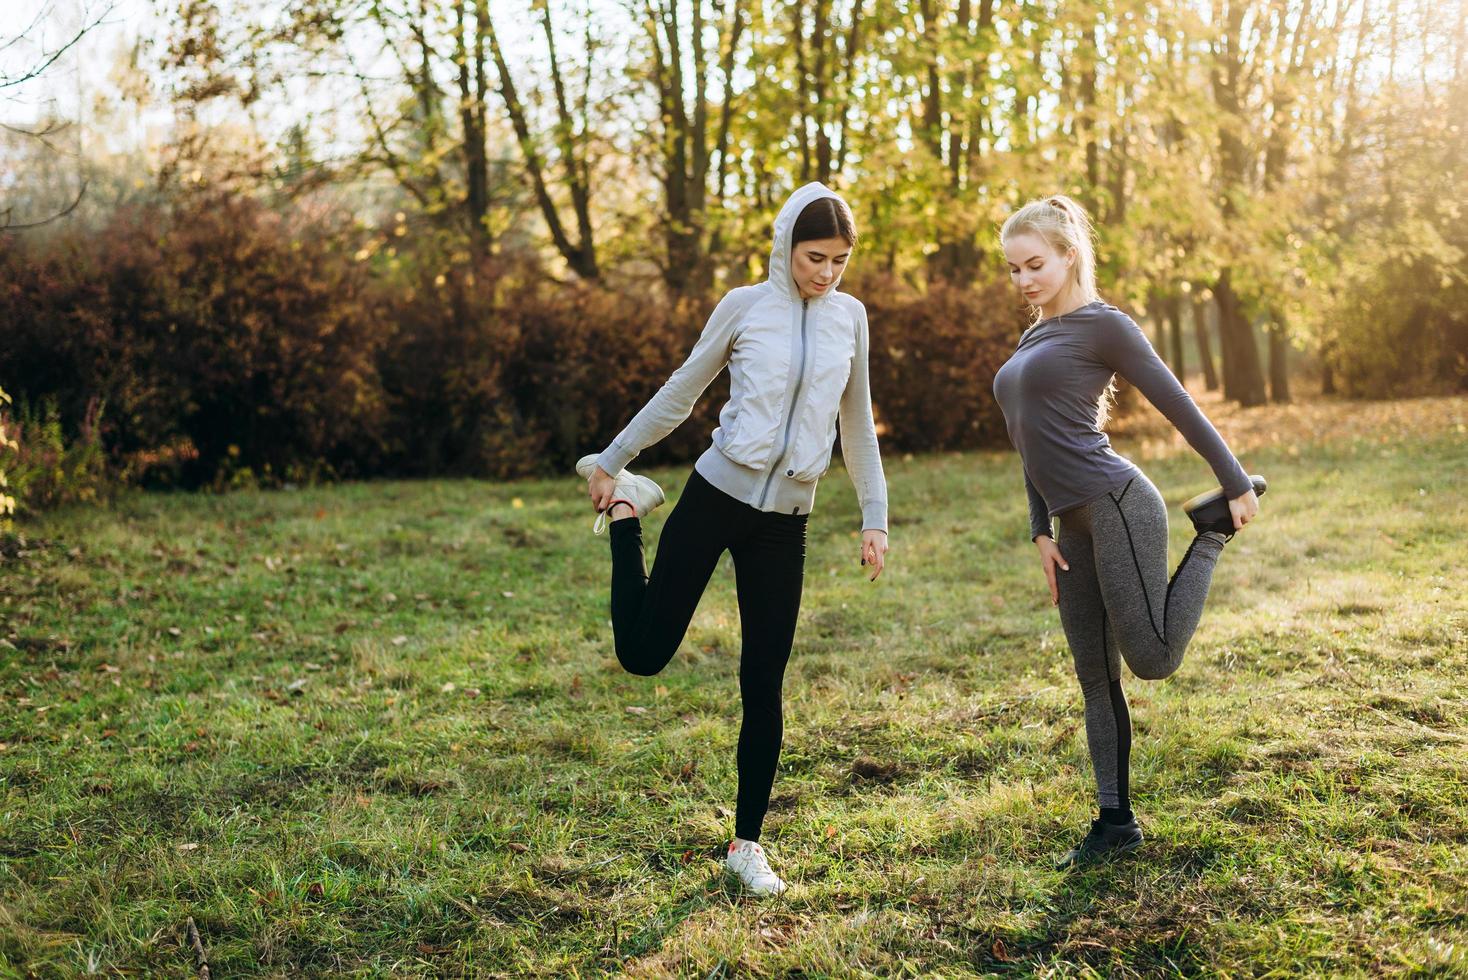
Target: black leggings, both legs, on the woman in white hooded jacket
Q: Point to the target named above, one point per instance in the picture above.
(651, 615)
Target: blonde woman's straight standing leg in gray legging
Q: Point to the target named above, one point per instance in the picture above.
(1099, 667)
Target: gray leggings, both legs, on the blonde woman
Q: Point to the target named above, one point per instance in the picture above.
(1116, 604)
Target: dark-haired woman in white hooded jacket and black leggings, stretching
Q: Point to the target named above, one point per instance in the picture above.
(796, 351)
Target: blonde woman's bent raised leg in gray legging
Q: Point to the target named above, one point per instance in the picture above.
(1153, 617)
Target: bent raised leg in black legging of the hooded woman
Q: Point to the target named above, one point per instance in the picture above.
(653, 614)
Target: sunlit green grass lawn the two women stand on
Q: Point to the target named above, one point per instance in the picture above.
(378, 730)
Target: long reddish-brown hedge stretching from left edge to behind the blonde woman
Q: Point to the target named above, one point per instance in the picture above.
(233, 344)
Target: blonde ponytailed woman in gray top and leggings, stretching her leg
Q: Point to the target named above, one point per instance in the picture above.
(1109, 568)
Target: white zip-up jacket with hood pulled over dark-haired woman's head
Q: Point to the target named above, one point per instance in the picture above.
(796, 367)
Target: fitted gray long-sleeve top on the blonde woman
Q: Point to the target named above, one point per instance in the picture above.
(1049, 392)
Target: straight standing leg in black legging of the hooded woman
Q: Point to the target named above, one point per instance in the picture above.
(770, 563)
